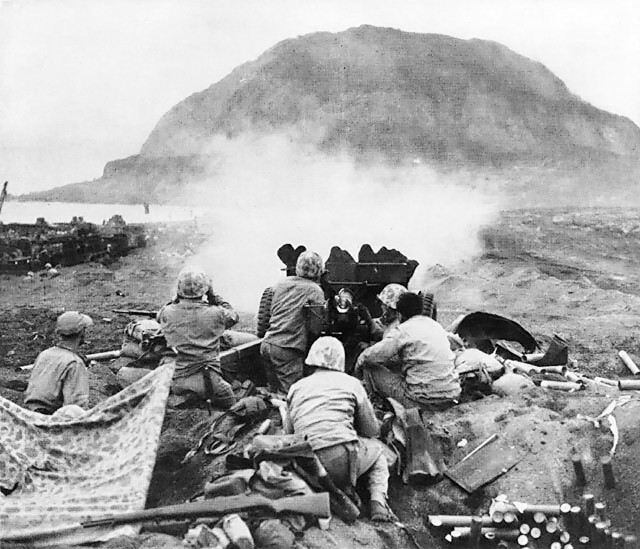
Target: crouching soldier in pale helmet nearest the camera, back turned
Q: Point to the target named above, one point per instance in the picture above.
(332, 411)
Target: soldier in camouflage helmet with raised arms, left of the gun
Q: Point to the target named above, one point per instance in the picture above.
(196, 325)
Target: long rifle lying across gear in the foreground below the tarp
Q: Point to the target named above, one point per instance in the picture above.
(311, 504)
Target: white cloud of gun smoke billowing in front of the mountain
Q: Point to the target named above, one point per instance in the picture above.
(267, 191)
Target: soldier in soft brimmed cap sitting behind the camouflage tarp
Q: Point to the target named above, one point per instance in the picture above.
(59, 376)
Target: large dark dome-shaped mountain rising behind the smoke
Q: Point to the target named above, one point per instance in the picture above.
(383, 94)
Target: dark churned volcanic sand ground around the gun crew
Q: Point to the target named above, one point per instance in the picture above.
(553, 271)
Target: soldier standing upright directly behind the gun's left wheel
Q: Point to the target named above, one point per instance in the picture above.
(287, 339)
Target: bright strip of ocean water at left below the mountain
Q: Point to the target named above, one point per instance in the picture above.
(62, 212)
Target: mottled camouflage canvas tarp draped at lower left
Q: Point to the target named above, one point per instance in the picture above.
(64, 472)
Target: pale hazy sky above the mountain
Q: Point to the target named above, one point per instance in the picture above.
(83, 82)
